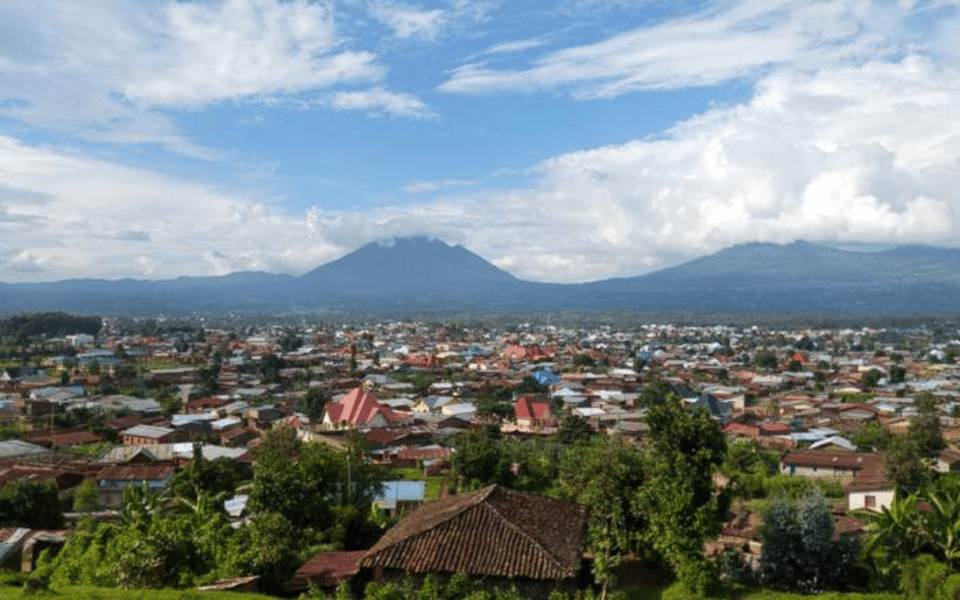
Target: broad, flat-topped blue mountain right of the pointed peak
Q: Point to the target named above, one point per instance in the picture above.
(797, 277)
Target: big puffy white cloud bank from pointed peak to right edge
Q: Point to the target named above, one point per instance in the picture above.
(817, 156)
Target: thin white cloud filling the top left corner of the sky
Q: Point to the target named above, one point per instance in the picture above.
(105, 71)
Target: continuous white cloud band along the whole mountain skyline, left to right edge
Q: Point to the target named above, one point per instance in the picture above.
(817, 156)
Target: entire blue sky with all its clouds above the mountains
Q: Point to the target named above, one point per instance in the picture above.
(570, 140)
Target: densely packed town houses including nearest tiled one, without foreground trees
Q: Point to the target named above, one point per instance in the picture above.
(402, 396)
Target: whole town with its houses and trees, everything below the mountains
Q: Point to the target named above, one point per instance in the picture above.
(315, 458)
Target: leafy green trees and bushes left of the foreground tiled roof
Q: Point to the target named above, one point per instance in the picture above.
(306, 497)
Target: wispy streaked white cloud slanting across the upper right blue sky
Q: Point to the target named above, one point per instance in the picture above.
(737, 40)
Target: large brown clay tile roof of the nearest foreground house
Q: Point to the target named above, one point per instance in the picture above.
(494, 531)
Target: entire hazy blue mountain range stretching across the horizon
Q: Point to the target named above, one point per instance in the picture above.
(418, 274)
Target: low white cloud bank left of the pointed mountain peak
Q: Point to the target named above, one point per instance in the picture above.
(103, 220)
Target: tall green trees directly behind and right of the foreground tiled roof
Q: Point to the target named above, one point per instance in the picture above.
(662, 499)
